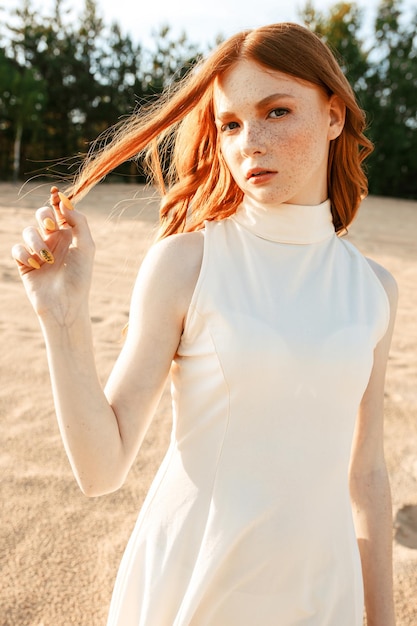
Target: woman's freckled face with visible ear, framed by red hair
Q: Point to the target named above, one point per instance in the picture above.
(274, 133)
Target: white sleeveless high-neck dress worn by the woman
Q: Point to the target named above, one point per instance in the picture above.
(248, 521)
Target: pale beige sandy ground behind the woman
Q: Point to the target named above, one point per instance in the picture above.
(59, 550)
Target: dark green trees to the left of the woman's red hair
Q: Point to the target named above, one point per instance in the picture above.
(64, 81)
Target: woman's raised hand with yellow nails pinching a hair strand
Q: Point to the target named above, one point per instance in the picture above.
(55, 261)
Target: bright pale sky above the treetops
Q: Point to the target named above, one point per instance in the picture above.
(201, 21)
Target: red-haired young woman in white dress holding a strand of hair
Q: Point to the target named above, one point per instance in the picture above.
(272, 505)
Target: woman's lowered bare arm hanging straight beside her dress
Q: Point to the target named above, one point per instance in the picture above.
(369, 484)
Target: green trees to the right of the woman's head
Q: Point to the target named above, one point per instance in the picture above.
(384, 76)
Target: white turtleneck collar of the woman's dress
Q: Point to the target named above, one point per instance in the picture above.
(286, 223)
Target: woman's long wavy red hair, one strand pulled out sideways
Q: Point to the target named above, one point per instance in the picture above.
(178, 139)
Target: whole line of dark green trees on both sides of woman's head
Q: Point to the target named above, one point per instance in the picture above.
(63, 81)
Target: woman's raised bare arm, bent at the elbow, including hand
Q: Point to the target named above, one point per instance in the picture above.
(102, 430)
